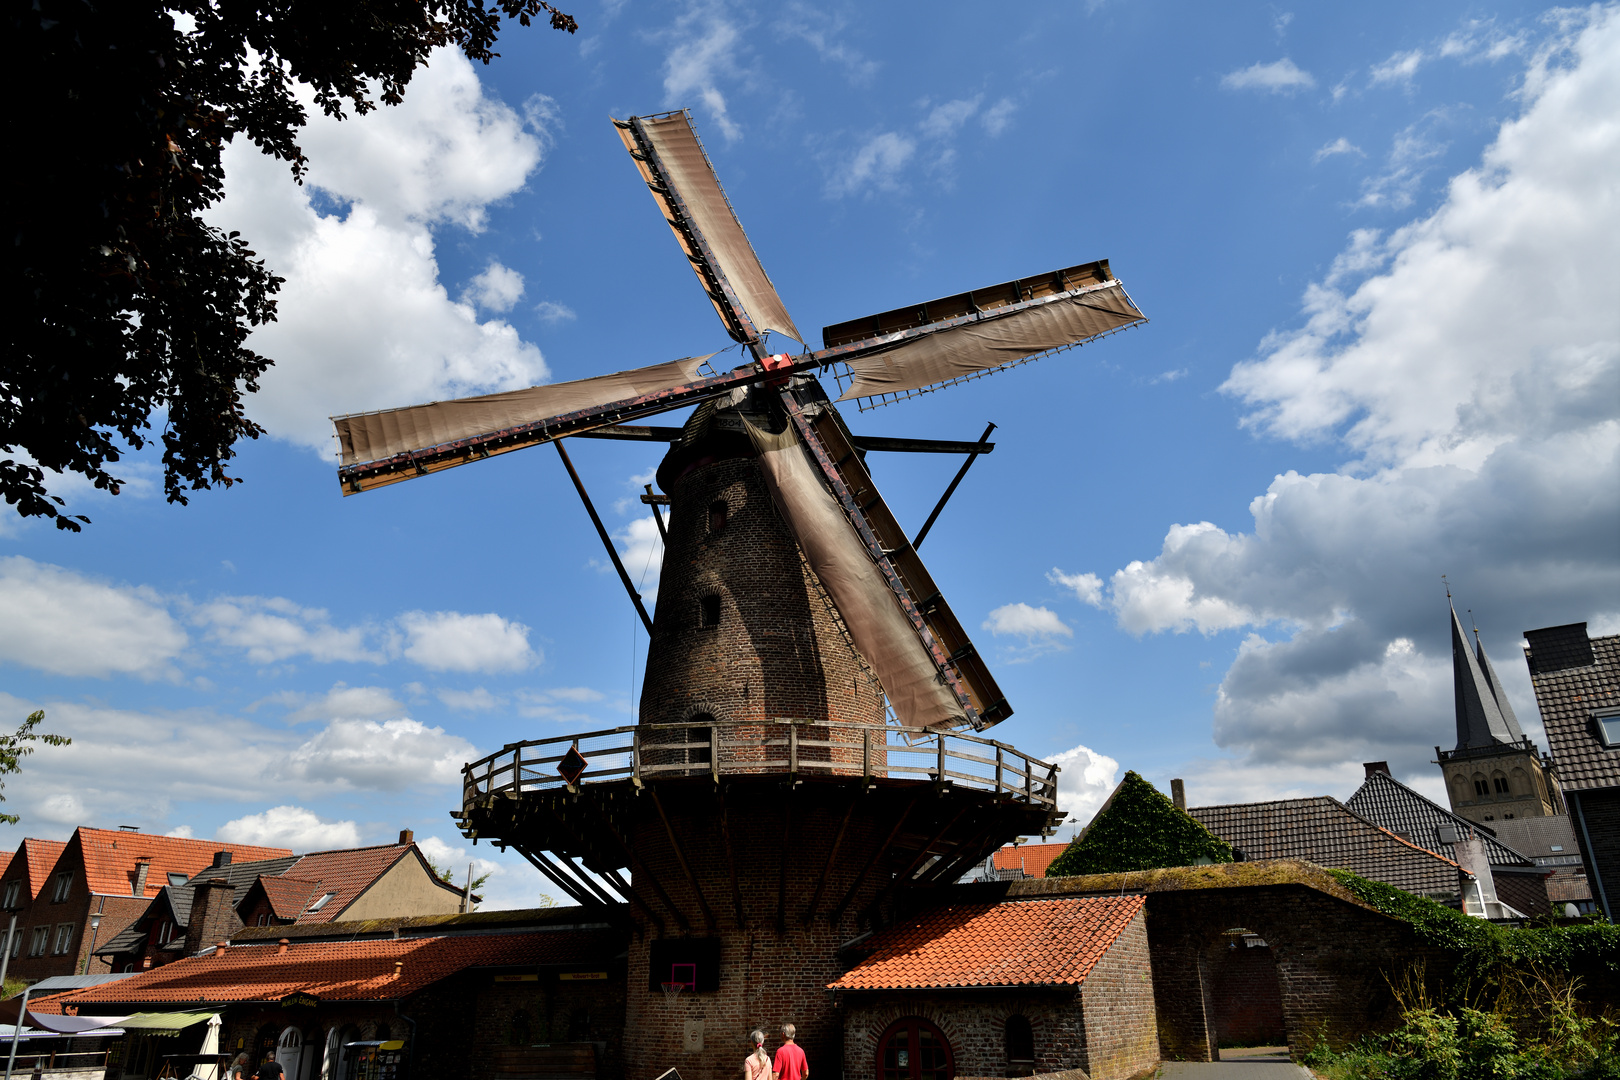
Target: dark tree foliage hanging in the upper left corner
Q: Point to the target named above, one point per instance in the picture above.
(124, 300)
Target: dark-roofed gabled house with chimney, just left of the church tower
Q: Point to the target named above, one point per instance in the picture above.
(1412, 817)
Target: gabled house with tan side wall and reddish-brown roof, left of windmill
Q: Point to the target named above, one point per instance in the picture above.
(362, 883)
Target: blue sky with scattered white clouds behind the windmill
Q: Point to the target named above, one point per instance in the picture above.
(1375, 244)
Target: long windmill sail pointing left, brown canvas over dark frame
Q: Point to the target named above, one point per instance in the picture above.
(461, 430)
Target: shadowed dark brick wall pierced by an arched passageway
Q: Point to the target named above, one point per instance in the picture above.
(1332, 963)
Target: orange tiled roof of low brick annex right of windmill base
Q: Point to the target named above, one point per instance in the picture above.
(1018, 943)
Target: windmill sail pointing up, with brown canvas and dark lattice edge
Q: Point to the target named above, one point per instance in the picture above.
(683, 181)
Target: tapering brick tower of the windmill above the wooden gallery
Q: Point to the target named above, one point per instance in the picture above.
(780, 650)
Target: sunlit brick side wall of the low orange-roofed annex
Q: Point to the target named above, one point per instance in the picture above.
(1122, 1034)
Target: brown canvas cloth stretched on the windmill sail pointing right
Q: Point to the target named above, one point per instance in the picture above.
(992, 342)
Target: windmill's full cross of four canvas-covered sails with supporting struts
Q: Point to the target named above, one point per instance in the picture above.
(895, 614)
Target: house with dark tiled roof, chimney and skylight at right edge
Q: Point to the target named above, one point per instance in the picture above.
(1577, 681)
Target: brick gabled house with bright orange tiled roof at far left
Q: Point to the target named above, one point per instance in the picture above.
(100, 883)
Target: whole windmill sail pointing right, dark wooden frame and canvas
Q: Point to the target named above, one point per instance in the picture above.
(914, 351)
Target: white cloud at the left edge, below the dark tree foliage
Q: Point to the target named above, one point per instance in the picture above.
(67, 624)
